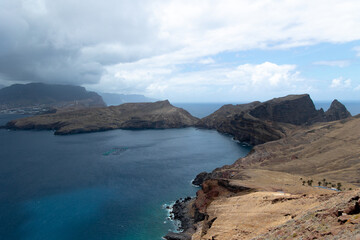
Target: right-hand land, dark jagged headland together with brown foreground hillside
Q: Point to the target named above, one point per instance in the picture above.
(287, 187)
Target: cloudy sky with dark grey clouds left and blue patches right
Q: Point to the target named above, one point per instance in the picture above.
(185, 51)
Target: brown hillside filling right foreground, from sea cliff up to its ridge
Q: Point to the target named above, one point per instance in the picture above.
(284, 204)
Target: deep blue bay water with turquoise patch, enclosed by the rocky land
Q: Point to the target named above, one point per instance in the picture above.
(106, 185)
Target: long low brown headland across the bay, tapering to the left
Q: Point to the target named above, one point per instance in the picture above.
(126, 116)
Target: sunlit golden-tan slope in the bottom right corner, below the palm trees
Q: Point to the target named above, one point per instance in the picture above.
(276, 215)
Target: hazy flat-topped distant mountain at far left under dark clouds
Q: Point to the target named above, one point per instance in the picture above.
(37, 98)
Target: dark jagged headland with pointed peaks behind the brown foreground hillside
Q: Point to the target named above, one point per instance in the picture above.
(258, 123)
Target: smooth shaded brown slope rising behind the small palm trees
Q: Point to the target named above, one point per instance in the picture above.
(324, 150)
